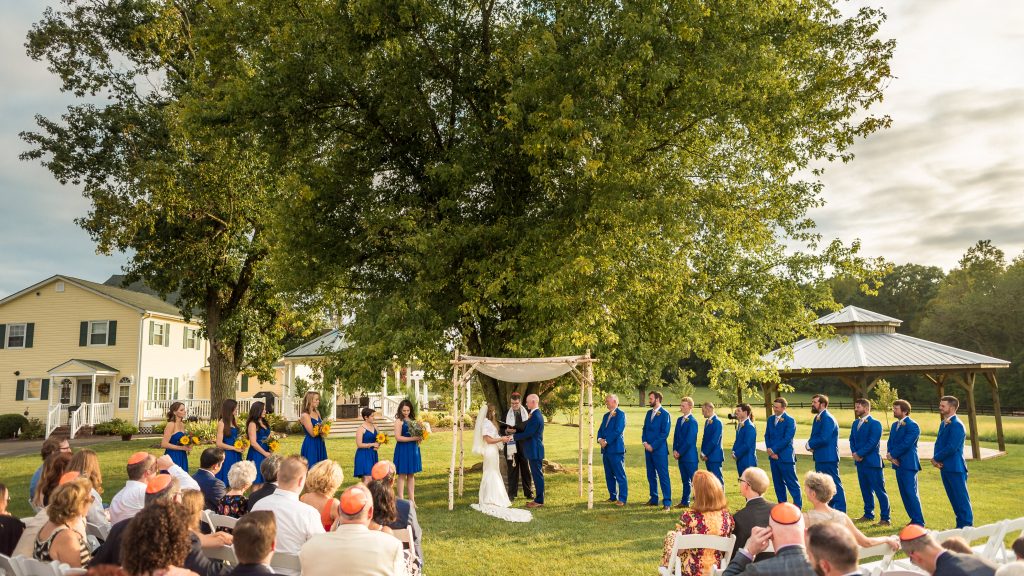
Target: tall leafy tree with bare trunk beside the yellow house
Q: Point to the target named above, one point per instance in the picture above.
(189, 200)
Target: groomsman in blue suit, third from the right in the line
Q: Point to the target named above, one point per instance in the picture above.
(866, 439)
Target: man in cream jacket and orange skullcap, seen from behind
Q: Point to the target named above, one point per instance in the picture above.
(354, 550)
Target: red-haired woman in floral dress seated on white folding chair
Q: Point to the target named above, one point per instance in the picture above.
(710, 515)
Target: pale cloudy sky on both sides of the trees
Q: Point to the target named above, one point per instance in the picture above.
(948, 174)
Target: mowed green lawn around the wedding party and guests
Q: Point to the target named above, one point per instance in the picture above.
(566, 538)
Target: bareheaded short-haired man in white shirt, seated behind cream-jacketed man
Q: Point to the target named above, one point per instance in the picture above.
(297, 522)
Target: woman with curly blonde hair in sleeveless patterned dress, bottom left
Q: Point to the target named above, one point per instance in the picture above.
(59, 540)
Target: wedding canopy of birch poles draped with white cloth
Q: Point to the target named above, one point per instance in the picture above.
(522, 371)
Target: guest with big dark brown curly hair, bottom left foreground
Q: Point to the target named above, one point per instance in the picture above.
(157, 540)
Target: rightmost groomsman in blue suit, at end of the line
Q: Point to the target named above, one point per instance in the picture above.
(949, 459)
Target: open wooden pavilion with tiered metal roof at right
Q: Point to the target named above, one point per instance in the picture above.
(866, 348)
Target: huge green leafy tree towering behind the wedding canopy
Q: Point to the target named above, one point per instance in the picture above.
(541, 178)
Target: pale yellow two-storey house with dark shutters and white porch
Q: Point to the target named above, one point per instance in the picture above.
(77, 353)
